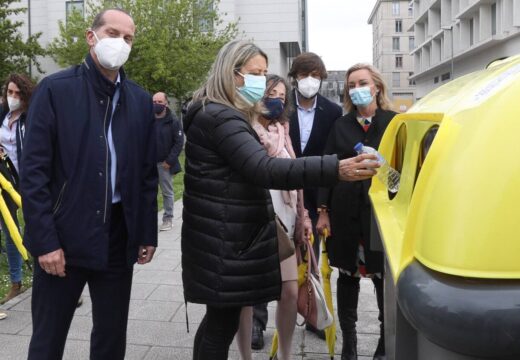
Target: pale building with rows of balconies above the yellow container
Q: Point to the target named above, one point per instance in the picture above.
(456, 37)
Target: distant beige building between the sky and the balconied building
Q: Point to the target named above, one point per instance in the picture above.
(393, 42)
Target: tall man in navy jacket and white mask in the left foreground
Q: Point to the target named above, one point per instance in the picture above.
(89, 187)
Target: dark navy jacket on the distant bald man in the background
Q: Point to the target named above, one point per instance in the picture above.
(170, 139)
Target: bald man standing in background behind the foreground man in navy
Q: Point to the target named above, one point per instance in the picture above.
(170, 140)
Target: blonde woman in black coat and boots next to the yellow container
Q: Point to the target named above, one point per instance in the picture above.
(346, 210)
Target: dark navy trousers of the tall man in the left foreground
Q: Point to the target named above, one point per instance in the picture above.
(54, 300)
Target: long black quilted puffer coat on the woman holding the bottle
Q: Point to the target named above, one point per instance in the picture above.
(229, 246)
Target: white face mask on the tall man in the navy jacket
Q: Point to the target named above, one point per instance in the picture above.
(112, 53)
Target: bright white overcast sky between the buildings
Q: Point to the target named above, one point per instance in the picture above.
(339, 32)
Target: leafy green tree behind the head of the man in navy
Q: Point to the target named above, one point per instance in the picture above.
(175, 42)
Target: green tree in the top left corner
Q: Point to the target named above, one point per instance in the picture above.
(16, 54)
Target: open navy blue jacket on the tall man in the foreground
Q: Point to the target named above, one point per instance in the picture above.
(65, 169)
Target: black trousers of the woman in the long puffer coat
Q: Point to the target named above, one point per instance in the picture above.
(215, 333)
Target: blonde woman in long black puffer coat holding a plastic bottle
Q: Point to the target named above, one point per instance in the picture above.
(229, 245)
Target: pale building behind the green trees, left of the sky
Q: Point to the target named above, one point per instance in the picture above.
(279, 27)
